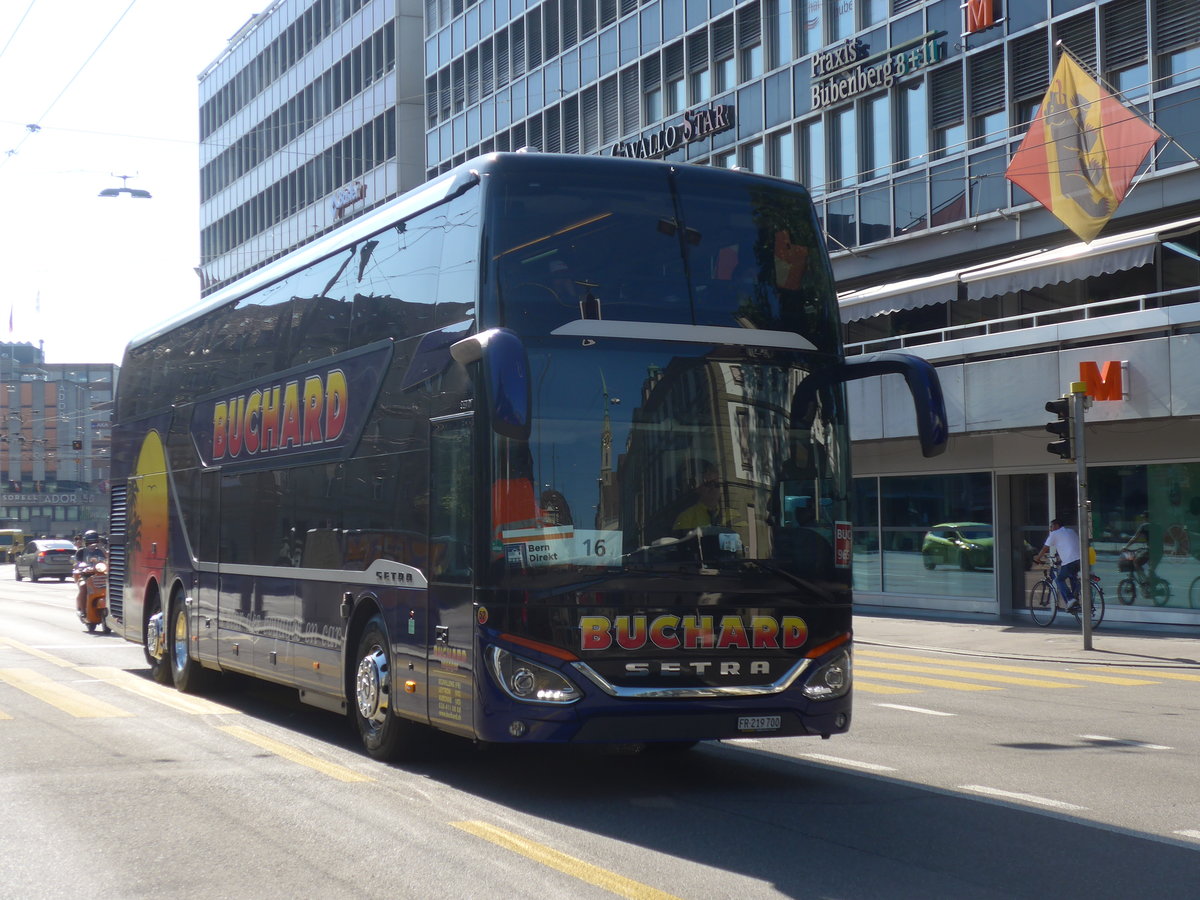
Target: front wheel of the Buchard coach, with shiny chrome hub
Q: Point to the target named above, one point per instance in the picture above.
(385, 735)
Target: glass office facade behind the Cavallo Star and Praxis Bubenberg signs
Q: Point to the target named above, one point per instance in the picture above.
(881, 94)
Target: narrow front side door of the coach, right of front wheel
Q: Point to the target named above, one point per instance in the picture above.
(452, 621)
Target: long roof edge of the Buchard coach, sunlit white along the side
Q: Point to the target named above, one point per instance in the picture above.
(427, 196)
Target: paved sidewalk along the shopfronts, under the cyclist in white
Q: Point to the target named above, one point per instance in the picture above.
(1025, 641)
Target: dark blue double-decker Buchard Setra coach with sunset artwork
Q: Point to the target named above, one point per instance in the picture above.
(553, 449)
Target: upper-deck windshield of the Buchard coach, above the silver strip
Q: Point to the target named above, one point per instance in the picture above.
(663, 247)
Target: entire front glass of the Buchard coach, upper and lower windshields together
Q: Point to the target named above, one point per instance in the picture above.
(650, 454)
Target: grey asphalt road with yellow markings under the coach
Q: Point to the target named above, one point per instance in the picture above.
(963, 778)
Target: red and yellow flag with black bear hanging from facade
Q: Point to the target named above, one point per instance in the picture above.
(1082, 152)
